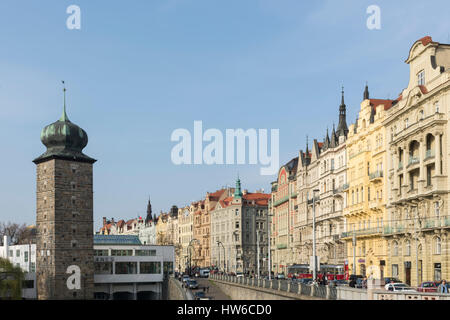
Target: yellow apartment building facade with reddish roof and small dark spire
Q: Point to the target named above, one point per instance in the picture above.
(366, 190)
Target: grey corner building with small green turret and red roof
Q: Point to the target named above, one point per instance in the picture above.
(239, 225)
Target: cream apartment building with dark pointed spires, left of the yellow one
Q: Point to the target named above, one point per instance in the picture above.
(322, 174)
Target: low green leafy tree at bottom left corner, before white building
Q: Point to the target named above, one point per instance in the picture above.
(11, 279)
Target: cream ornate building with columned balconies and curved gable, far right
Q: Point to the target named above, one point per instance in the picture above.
(418, 220)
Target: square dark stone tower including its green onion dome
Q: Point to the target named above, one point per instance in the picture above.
(64, 217)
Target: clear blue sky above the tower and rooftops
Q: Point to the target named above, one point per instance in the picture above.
(139, 69)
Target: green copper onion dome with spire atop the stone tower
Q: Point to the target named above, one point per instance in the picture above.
(64, 140)
